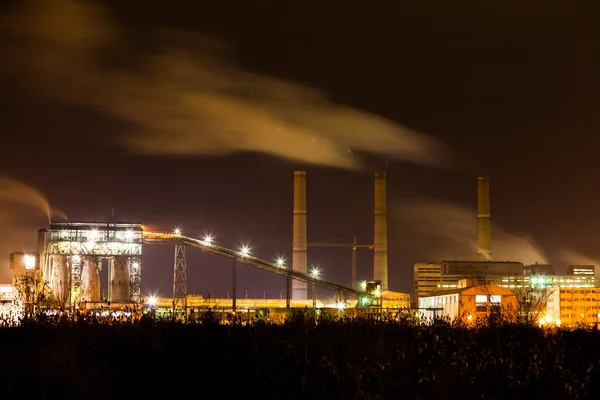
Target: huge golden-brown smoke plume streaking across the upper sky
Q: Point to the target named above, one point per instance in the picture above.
(185, 98)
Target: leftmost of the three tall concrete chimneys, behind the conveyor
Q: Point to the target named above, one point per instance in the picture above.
(299, 245)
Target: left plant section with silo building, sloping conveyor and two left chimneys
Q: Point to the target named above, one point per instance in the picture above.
(74, 258)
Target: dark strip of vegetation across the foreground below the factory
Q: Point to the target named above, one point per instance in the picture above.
(358, 359)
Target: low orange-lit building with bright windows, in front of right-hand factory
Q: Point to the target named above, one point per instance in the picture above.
(467, 303)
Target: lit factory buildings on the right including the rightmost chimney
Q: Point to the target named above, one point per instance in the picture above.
(470, 290)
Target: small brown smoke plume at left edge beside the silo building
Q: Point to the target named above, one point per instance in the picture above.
(24, 209)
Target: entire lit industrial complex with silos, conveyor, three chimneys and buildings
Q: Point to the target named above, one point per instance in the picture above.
(73, 258)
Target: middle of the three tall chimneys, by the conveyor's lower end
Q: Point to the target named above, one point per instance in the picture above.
(380, 231)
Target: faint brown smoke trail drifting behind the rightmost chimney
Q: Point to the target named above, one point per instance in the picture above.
(450, 232)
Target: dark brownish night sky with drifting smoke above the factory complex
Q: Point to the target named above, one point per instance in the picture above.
(170, 112)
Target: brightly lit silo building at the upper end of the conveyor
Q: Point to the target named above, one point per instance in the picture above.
(72, 257)
